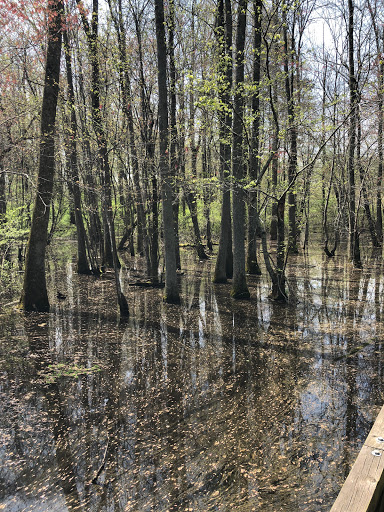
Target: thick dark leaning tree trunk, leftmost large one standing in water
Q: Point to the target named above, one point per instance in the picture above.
(34, 296)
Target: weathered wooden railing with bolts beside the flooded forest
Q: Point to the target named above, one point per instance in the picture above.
(364, 486)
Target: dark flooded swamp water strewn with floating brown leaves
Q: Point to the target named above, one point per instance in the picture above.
(211, 405)
